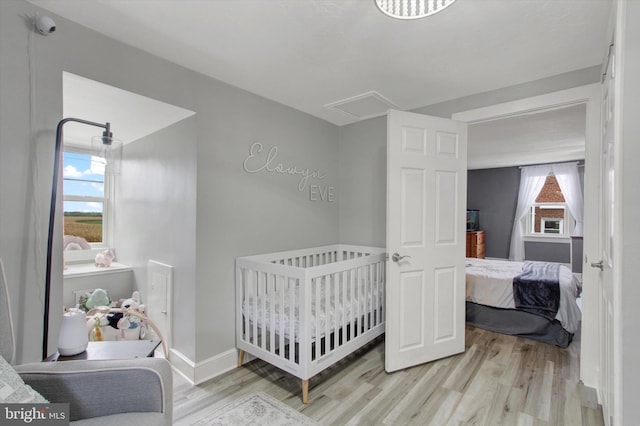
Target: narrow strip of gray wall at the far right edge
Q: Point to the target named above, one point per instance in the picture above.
(628, 351)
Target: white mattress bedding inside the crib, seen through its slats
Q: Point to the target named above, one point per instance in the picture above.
(340, 310)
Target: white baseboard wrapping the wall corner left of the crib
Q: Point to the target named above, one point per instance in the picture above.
(202, 371)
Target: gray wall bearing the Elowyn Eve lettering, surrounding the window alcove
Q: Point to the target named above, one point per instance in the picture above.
(234, 213)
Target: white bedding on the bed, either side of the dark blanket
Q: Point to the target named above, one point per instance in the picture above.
(490, 282)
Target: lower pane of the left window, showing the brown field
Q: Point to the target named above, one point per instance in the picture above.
(83, 219)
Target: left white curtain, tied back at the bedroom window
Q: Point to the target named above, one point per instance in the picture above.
(532, 180)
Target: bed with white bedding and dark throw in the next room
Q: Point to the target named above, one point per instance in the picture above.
(494, 300)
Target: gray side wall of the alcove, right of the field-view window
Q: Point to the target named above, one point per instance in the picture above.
(156, 216)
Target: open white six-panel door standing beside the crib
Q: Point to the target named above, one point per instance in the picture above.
(426, 214)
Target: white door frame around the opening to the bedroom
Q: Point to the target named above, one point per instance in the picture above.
(588, 95)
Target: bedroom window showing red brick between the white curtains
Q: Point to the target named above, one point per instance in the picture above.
(549, 214)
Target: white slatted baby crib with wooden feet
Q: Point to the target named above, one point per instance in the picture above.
(338, 296)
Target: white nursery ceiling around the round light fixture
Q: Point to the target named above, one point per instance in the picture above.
(312, 54)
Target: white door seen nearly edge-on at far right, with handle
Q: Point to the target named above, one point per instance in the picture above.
(605, 277)
